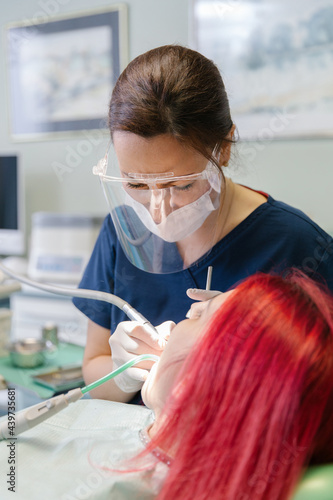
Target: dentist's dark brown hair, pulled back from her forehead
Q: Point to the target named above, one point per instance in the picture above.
(173, 90)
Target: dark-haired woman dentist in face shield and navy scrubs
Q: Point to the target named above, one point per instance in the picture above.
(173, 212)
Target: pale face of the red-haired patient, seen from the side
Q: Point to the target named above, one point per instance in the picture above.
(183, 336)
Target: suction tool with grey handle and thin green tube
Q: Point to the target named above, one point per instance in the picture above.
(16, 423)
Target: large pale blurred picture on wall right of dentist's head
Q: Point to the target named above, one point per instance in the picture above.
(275, 57)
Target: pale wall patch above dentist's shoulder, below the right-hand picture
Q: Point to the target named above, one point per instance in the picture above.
(297, 172)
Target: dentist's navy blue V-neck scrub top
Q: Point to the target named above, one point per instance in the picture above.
(271, 239)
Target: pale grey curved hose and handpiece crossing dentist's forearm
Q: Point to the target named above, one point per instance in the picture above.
(130, 312)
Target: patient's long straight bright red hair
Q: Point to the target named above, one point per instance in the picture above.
(253, 401)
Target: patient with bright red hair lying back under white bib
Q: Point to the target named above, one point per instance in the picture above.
(238, 406)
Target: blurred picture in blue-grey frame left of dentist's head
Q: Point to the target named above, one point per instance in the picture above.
(62, 71)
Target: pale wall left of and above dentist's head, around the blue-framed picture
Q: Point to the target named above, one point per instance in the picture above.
(151, 23)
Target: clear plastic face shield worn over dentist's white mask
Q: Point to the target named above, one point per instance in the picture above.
(164, 223)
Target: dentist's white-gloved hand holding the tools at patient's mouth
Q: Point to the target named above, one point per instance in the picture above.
(131, 339)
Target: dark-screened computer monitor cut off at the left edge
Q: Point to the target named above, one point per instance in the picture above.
(12, 241)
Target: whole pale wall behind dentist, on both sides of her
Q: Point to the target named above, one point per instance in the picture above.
(298, 172)
